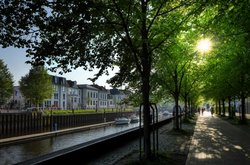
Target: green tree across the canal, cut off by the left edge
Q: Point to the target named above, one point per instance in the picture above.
(6, 83)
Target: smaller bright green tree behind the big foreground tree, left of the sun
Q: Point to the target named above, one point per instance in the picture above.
(173, 68)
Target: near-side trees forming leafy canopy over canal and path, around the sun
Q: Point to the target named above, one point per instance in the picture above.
(151, 41)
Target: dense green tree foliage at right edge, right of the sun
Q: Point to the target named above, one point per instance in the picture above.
(230, 24)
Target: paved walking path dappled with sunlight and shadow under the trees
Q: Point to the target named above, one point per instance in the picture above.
(218, 142)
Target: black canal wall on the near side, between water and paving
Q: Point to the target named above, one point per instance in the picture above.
(91, 150)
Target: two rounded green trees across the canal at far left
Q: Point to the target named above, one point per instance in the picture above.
(35, 86)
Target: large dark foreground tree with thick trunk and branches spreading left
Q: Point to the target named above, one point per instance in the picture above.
(97, 34)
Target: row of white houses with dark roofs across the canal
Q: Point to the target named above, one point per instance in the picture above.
(68, 94)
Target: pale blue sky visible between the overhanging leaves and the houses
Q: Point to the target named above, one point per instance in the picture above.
(15, 59)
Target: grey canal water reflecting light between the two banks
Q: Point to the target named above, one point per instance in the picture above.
(20, 152)
